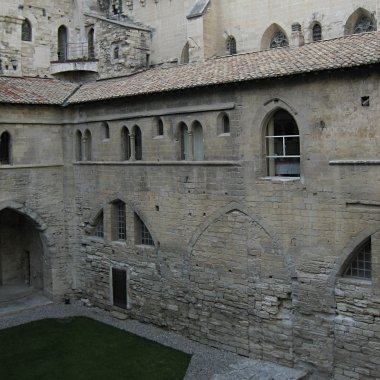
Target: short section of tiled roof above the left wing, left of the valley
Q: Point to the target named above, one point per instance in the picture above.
(34, 90)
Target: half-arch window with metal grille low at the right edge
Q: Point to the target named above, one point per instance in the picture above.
(360, 265)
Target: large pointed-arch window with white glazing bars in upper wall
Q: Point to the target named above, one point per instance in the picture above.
(282, 145)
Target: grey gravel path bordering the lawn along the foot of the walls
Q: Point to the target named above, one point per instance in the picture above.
(206, 363)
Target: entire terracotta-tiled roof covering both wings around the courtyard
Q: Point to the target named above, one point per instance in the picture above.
(352, 51)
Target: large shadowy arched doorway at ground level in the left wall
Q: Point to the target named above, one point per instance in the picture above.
(21, 252)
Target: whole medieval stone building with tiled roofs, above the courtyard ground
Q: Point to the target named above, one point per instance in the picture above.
(209, 166)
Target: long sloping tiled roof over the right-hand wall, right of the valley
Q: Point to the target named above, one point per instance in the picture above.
(351, 51)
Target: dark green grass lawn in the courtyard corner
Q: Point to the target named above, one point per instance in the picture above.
(83, 349)
